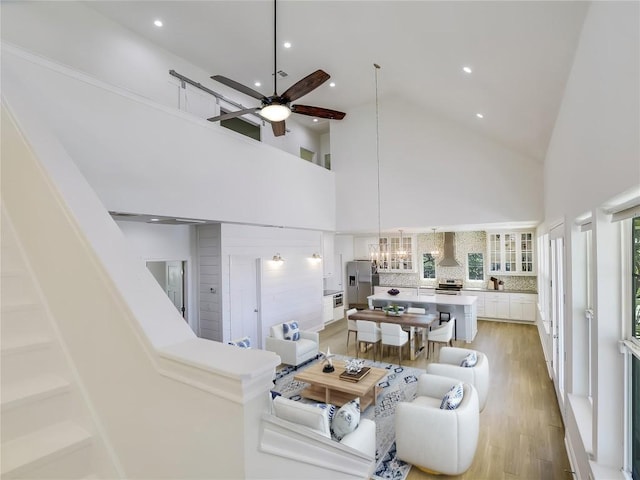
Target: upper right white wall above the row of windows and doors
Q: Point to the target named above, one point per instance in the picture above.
(594, 152)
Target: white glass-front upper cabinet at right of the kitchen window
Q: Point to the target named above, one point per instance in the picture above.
(511, 253)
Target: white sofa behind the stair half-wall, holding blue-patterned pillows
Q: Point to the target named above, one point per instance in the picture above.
(362, 438)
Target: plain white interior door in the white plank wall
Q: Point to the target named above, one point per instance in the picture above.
(244, 299)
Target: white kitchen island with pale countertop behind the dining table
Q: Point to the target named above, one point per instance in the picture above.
(462, 307)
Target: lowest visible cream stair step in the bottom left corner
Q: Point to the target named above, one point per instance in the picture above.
(36, 449)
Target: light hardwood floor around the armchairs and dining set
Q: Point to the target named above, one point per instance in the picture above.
(521, 430)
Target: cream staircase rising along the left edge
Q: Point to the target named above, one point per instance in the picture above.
(46, 429)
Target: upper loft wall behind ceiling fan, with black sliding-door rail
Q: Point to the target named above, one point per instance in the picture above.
(80, 37)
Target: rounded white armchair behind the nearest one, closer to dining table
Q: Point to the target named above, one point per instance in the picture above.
(449, 366)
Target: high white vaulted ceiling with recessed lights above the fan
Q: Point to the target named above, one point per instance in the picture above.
(520, 53)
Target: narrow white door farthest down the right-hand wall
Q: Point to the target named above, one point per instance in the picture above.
(556, 258)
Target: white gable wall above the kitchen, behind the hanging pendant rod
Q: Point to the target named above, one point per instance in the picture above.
(433, 172)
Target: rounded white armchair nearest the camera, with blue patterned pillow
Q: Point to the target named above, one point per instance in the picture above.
(434, 439)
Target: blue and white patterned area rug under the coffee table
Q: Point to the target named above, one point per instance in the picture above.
(399, 385)
